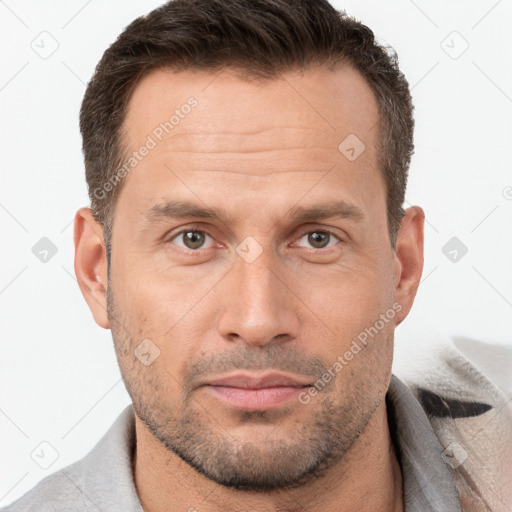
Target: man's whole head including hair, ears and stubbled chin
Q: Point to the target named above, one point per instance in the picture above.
(247, 165)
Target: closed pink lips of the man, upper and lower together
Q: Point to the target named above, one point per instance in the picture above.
(252, 392)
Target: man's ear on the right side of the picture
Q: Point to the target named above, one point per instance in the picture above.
(408, 260)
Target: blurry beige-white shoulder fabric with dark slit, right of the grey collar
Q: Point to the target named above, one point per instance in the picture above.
(465, 389)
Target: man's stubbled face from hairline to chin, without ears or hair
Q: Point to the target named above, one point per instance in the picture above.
(262, 288)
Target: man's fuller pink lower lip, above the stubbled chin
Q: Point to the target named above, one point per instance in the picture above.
(256, 399)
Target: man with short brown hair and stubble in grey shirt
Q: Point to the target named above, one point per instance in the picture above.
(247, 247)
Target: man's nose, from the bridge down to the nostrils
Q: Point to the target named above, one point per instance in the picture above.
(257, 306)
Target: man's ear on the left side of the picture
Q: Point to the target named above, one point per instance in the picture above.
(91, 264)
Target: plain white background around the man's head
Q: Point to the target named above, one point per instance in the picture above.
(59, 381)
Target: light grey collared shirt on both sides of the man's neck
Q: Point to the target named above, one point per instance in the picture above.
(102, 481)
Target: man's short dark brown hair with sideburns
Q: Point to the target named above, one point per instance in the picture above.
(264, 38)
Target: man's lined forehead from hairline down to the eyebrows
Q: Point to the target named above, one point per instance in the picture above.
(279, 136)
